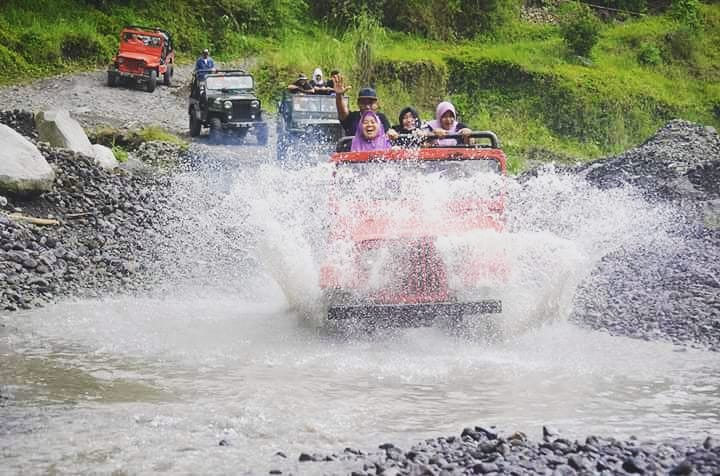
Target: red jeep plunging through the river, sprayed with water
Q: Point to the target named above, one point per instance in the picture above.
(410, 233)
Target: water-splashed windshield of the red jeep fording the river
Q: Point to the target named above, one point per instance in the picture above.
(395, 179)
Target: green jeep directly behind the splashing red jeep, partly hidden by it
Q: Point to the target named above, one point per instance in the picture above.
(307, 125)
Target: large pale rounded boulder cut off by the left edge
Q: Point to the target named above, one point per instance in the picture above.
(23, 169)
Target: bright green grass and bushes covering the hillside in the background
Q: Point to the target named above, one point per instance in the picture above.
(592, 83)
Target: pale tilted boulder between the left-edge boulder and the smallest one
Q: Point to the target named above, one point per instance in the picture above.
(58, 129)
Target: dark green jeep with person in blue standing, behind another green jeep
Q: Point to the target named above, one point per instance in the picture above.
(226, 101)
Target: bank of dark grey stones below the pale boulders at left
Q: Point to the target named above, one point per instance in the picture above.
(107, 224)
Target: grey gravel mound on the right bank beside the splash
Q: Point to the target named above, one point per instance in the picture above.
(651, 293)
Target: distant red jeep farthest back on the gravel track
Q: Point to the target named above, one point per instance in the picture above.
(144, 55)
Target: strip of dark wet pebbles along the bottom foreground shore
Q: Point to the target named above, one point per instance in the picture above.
(482, 451)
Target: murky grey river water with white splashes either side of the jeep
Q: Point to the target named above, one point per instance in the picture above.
(225, 350)
